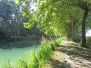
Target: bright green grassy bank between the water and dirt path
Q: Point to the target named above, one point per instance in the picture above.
(37, 60)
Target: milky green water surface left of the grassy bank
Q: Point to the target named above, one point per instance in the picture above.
(14, 54)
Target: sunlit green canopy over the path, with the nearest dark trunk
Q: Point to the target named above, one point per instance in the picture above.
(64, 17)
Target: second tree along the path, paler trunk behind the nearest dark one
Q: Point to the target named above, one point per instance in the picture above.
(74, 15)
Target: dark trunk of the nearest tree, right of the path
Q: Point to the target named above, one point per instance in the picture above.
(85, 14)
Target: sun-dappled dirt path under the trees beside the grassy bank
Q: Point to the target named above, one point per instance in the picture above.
(70, 55)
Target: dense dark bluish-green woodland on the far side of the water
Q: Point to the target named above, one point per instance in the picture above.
(12, 23)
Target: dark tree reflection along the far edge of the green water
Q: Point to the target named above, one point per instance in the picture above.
(18, 44)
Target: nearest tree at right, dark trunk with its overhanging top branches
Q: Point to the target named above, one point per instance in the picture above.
(85, 5)
